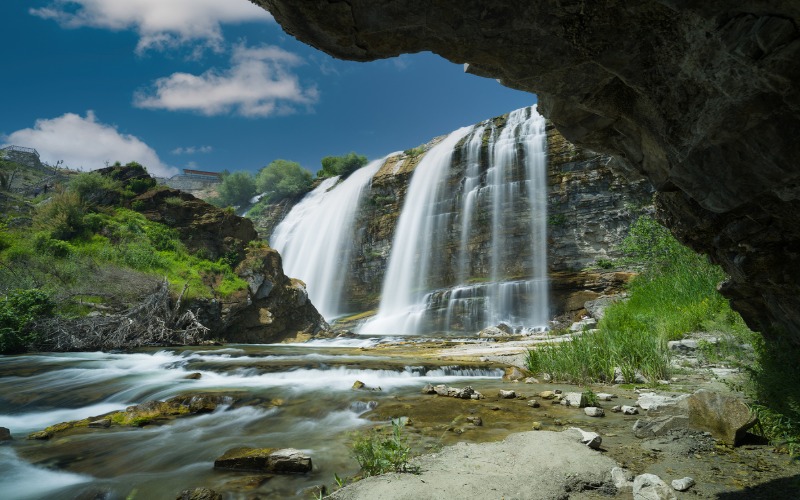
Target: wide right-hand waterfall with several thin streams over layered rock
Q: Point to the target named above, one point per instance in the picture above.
(430, 287)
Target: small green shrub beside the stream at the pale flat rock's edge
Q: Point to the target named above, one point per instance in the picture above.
(377, 453)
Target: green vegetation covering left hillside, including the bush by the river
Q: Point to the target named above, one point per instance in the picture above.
(81, 250)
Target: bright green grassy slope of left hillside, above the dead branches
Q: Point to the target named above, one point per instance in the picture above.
(88, 257)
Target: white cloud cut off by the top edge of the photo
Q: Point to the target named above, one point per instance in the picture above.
(159, 23)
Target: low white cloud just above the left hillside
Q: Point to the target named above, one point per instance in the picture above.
(84, 143)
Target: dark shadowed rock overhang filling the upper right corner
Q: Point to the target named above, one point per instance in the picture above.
(699, 97)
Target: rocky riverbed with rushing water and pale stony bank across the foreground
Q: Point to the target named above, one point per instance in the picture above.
(302, 397)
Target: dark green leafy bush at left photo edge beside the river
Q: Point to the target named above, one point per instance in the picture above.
(18, 310)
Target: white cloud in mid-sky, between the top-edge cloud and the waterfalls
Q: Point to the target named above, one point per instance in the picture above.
(258, 83)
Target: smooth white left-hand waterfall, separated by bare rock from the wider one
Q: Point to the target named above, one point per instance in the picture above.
(316, 237)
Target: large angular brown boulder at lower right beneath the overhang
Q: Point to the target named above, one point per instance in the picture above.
(726, 417)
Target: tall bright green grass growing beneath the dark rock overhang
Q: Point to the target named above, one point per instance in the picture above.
(674, 295)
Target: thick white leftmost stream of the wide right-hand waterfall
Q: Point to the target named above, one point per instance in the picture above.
(405, 281)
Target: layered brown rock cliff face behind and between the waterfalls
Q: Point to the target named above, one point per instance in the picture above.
(590, 207)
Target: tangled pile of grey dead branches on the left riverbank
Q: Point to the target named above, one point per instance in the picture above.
(151, 322)
